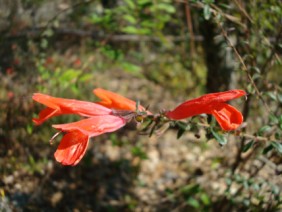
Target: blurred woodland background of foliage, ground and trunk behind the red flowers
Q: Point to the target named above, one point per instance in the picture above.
(161, 52)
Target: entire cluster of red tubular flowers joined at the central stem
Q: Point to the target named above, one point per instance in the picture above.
(113, 111)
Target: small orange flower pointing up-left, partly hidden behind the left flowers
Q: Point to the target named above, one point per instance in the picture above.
(115, 101)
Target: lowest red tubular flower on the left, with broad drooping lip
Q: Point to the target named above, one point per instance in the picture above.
(74, 143)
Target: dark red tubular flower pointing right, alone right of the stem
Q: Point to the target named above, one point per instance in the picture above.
(228, 117)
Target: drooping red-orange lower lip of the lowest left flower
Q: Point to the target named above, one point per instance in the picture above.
(71, 148)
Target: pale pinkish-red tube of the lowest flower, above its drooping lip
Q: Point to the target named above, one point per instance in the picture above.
(94, 126)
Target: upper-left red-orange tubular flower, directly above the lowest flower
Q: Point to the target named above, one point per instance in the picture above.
(60, 106)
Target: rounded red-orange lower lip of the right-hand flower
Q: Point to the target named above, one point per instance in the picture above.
(228, 117)
